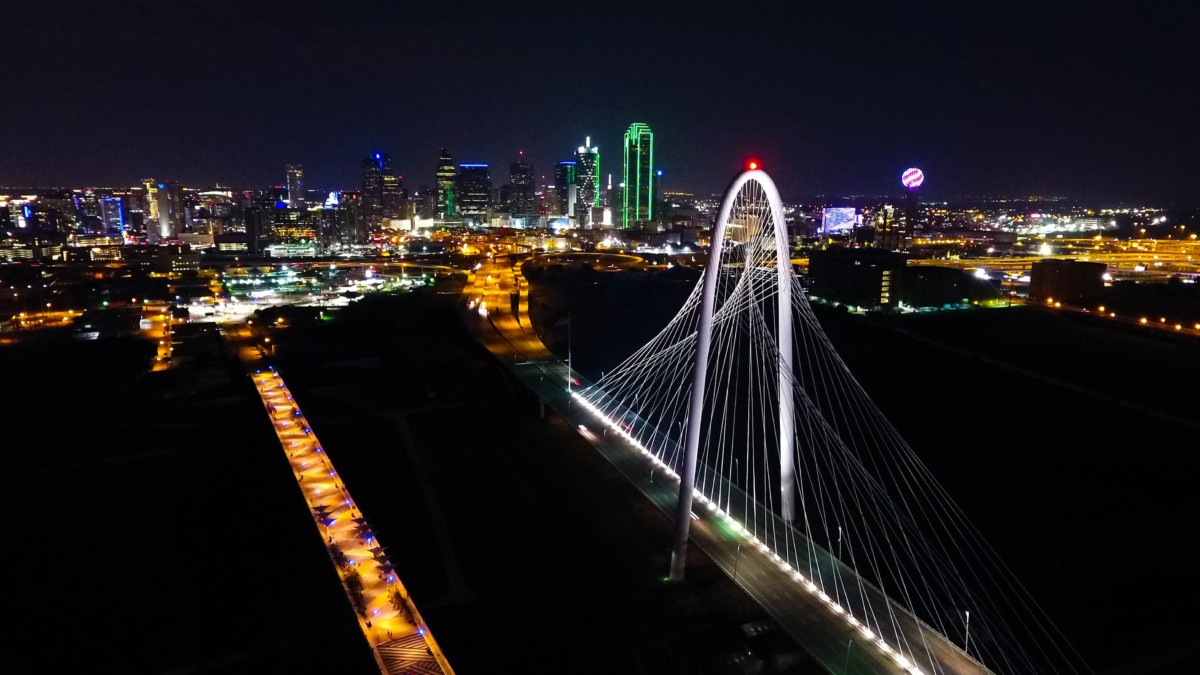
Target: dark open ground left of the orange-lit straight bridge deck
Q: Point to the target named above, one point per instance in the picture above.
(157, 536)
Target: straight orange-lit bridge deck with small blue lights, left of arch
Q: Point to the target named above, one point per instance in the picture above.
(389, 620)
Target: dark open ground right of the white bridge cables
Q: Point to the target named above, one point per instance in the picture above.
(1072, 446)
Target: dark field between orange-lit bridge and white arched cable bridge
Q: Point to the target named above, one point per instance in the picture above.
(533, 549)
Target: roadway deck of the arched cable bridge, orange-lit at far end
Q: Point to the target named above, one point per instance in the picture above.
(827, 637)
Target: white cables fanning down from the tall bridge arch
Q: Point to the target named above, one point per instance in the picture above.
(872, 529)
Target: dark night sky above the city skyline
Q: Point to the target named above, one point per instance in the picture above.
(1093, 100)
